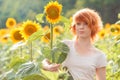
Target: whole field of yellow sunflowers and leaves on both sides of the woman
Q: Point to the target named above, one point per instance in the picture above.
(24, 45)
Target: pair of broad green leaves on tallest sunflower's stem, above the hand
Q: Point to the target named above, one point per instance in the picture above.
(57, 54)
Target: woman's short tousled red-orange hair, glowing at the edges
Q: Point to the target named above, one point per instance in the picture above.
(90, 17)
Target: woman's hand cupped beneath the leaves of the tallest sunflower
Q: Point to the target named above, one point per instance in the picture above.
(47, 65)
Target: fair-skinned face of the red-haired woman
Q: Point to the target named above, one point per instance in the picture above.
(82, 30)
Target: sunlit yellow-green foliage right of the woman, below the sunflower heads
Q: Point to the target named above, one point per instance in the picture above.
(112, 49)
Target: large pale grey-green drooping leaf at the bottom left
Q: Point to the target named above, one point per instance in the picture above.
(27, 69)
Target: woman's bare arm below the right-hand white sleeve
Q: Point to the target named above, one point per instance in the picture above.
(101, 73)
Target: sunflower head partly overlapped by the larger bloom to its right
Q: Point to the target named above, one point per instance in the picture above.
(16, 35)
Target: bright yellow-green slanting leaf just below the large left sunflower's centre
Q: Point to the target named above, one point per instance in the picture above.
(35, 36)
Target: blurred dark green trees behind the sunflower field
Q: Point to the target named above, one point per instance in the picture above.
(28, 9)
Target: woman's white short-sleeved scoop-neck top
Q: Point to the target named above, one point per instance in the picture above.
(83, 67)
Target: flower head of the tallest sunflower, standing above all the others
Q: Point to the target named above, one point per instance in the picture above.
(53, 11)
